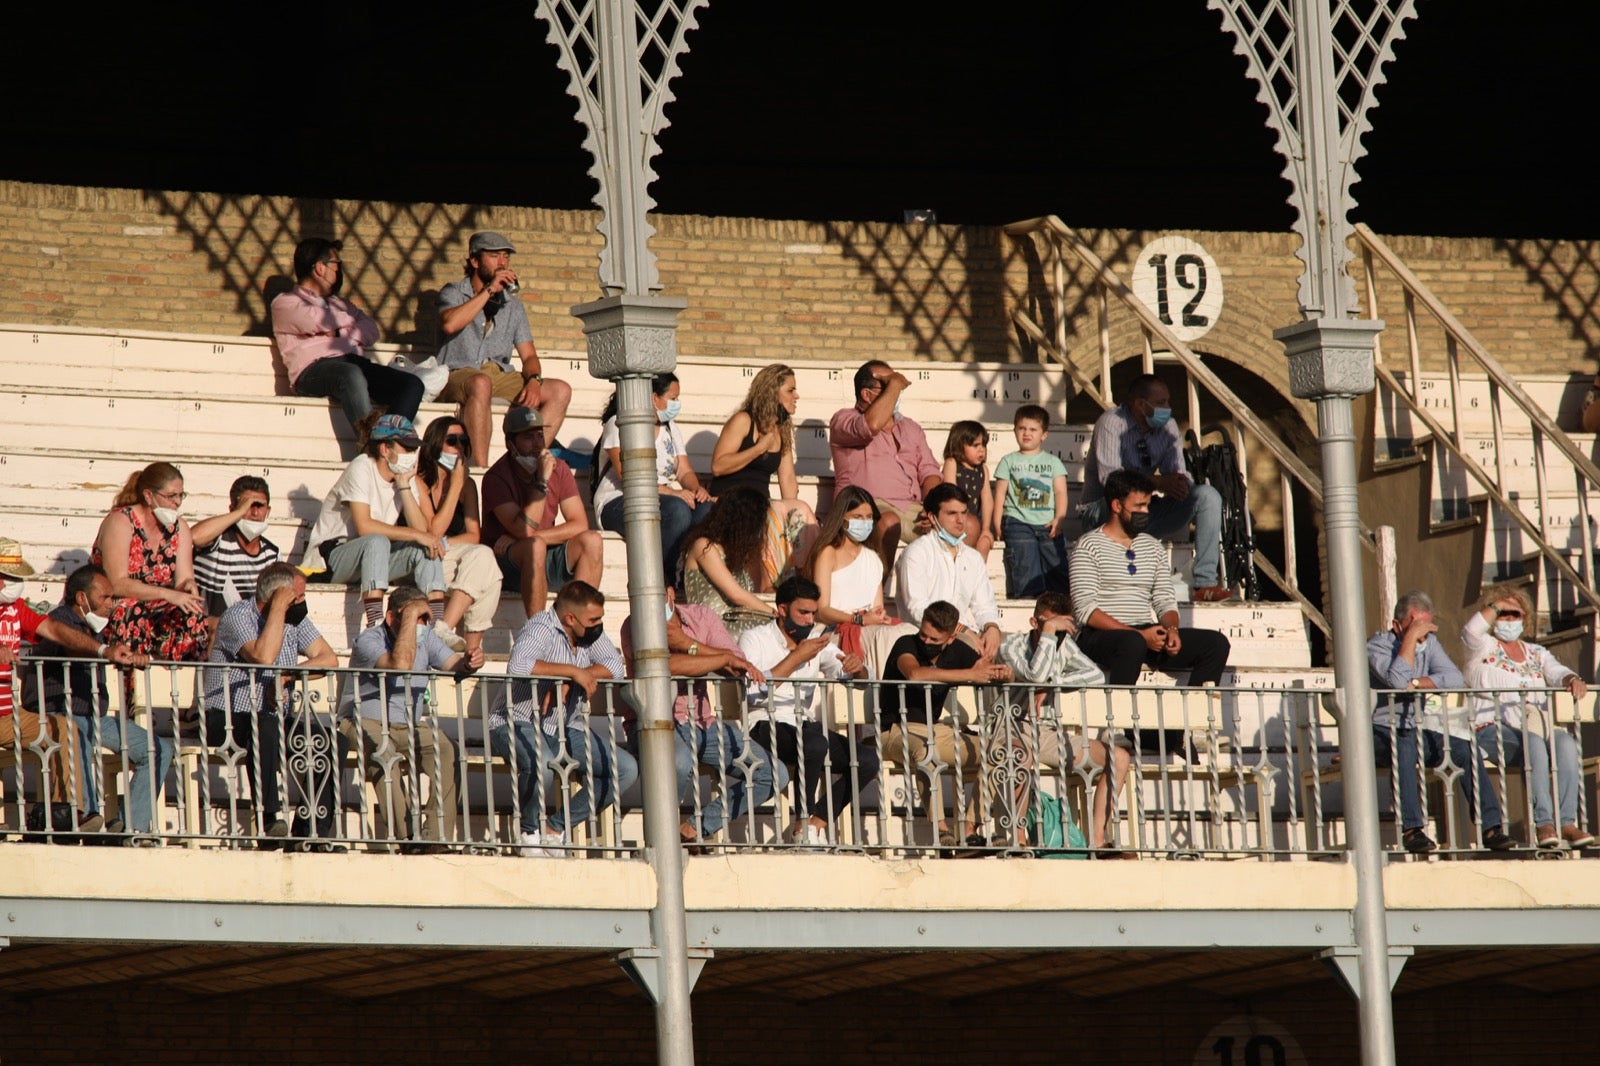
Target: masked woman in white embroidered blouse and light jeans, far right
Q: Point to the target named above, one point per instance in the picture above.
(1516, 673)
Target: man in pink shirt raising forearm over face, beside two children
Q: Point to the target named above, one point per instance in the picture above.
(886, 454)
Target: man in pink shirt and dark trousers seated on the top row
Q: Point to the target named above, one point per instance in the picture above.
(322, 339)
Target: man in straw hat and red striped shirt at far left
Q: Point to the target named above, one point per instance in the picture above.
(18, 727)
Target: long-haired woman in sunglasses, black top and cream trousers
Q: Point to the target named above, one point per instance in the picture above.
(449, 499)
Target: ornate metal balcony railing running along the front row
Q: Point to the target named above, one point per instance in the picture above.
(841, 766)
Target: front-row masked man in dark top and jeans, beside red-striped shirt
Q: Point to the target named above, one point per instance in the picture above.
(79, 689)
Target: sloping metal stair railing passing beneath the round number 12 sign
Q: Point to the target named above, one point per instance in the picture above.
(1060, 242)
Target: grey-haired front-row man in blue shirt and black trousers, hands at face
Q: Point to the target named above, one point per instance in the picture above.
(246, 707)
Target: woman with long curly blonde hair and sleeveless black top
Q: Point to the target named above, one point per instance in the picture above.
(758, 444)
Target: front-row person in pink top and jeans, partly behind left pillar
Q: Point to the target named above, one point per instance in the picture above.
(700, 647)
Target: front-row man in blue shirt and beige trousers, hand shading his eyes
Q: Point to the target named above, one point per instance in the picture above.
(390, 726)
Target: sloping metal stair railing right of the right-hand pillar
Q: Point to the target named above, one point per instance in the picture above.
(1529, 417)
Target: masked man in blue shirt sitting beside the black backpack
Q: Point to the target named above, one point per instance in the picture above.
(1142, 436)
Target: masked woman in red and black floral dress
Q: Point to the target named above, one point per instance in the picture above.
(148, 555)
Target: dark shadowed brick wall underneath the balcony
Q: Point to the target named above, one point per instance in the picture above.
(281, 1027)
